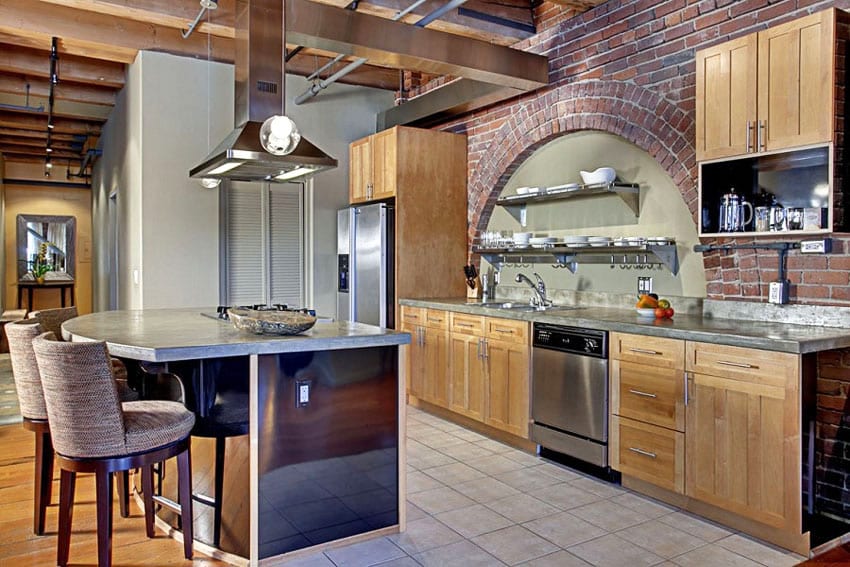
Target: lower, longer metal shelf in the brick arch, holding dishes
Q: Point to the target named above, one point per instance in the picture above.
(571, 257)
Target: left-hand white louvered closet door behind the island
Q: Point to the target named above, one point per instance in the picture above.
(244, 247)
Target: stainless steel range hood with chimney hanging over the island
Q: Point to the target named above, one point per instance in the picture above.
(259, 94)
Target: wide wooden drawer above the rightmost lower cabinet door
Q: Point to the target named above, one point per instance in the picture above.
(737, 363)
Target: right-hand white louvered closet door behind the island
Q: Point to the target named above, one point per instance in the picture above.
(286, 244)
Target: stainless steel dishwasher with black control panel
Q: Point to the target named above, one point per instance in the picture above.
(569, 382)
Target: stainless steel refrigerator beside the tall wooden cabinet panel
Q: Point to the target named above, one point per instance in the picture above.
(365, 265)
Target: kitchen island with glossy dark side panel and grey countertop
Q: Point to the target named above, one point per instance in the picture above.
(322, 459)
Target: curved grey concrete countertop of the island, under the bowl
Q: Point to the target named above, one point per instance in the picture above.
(162, 335)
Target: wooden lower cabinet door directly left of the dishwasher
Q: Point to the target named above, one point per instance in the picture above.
(507, 386)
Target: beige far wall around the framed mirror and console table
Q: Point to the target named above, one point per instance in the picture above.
(36, 200)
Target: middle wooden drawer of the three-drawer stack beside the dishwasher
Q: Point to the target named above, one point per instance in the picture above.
(650, 394)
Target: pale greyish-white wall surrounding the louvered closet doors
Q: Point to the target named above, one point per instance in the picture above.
(169, 224)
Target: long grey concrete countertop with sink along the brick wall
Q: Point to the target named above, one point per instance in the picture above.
(783, 337)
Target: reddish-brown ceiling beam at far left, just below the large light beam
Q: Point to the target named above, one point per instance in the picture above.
(36, 63)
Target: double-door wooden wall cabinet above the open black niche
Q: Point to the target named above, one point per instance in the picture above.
(767, 91)
